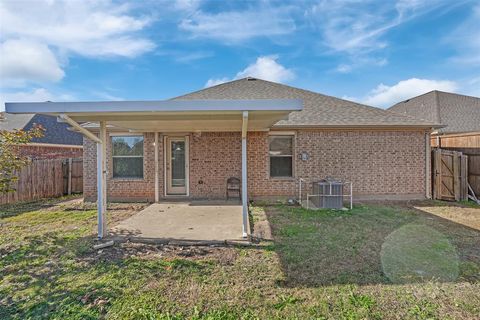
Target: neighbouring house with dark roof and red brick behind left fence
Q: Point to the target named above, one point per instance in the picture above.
(57, 142)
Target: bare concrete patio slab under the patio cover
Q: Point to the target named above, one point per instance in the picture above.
(178, 222)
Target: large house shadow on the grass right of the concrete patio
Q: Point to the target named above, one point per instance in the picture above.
(321, 248)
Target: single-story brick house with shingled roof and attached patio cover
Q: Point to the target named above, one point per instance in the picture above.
(267, 134)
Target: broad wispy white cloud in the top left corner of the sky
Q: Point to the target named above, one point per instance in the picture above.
(90, 28)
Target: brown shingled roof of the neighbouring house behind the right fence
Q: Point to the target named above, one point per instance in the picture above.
(458, 113)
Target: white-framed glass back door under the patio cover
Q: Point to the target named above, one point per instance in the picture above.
(177, 165)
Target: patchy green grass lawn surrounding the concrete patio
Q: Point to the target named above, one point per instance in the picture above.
(375, 262)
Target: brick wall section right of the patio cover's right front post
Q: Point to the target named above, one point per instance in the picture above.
(378, 163)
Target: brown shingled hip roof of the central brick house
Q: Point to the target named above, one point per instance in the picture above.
(318, 110)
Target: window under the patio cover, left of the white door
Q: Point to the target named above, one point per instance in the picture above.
(127, 153)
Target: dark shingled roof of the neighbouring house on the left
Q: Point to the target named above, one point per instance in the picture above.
(55, 132)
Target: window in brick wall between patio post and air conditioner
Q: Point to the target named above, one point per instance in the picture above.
(281, 156)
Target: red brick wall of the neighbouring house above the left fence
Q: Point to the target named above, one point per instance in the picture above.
(43, 151)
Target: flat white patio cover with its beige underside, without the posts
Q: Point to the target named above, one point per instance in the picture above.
(169, 115)
